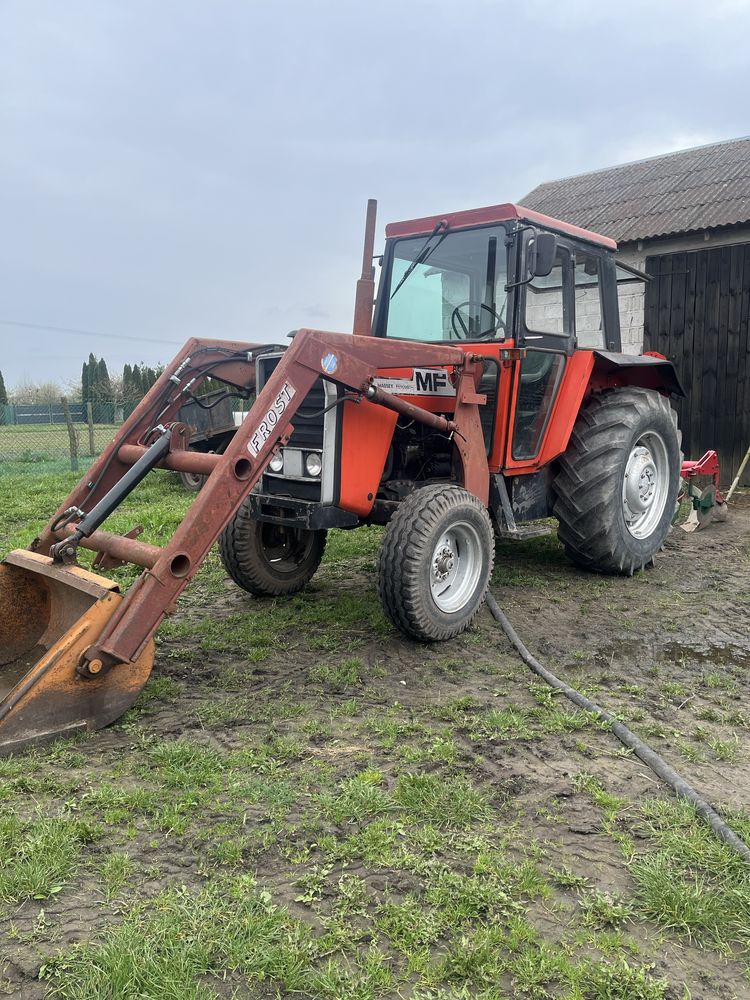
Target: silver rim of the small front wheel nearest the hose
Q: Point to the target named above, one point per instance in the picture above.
(455, 567)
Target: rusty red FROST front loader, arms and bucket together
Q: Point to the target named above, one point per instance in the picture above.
(74, 654)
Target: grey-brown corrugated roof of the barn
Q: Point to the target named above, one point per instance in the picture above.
(679, 192)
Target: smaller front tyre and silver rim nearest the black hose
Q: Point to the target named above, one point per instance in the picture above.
(435, 562)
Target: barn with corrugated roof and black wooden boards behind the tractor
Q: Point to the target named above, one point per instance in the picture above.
(684, 219)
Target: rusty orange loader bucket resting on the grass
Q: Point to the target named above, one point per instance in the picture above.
(49, 614)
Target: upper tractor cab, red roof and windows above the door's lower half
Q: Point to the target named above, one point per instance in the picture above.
(498, 274)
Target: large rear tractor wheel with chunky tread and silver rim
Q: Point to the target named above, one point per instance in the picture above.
(617, 484)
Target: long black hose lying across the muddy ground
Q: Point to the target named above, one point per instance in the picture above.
(649, 757)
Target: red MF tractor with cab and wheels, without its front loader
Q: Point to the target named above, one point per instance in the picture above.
(568, 426)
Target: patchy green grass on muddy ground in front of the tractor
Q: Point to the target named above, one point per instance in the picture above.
(301, 805)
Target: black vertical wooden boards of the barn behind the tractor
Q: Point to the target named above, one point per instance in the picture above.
(696, 313)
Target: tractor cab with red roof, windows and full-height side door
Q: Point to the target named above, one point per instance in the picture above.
(525, 291)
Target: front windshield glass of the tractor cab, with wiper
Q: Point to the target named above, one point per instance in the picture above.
(457, 292)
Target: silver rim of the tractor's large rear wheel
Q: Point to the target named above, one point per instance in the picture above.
(646, 485)
